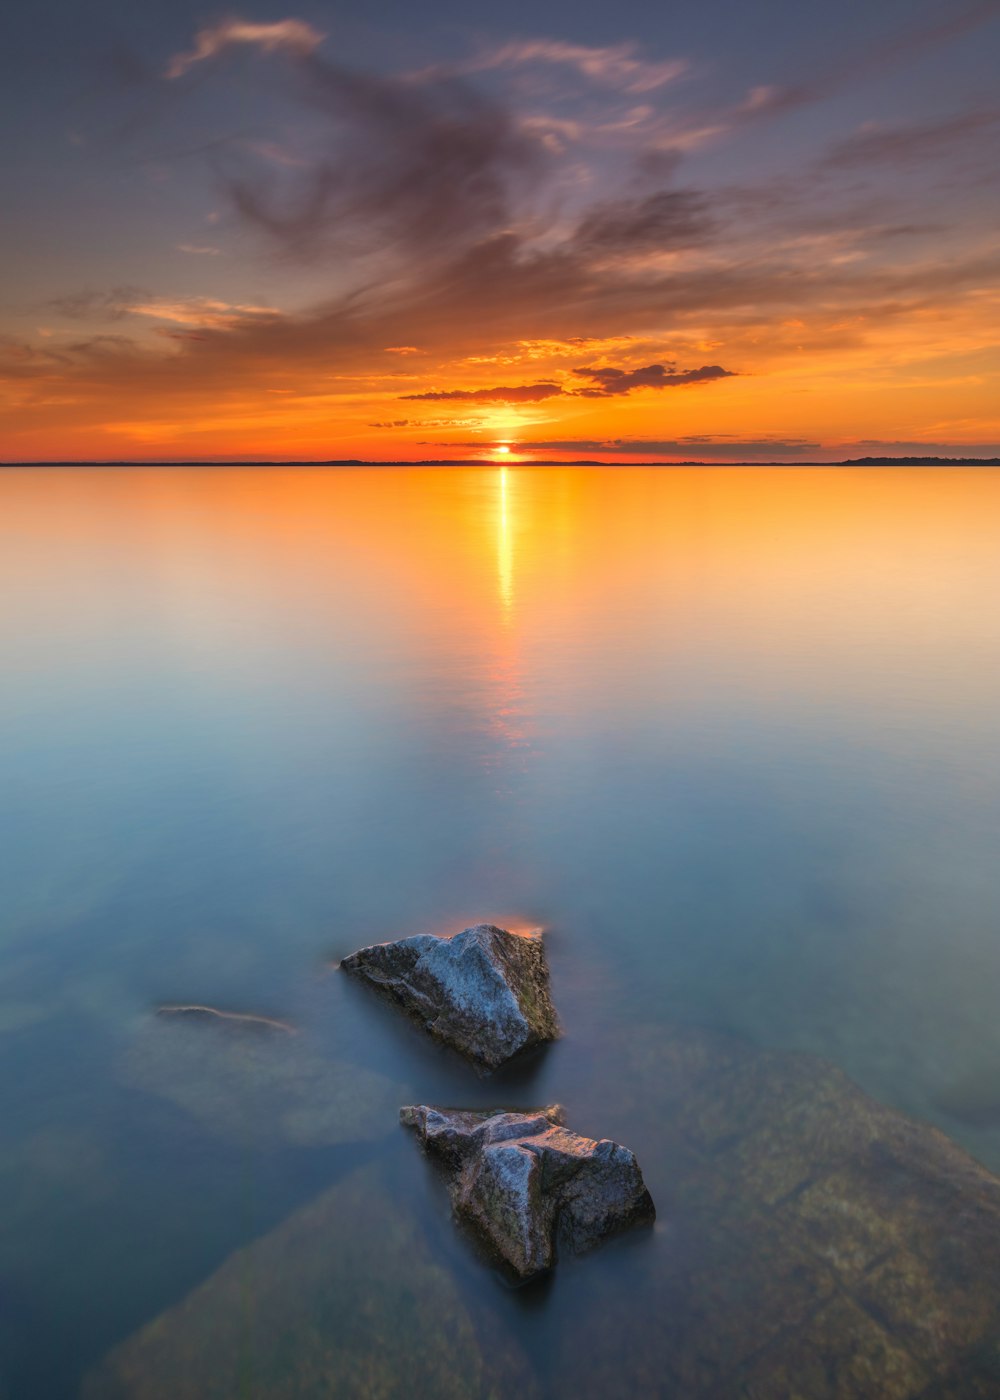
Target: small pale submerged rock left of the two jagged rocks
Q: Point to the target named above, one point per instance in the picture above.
(257, 1083)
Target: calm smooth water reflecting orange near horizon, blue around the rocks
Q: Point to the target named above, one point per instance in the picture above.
(730, 736)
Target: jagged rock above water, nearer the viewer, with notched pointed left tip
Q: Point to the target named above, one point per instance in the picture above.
(527, 1185)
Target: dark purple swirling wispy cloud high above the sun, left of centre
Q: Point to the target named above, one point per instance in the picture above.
(410, 167)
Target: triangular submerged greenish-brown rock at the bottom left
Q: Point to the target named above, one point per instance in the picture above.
(344, 1300)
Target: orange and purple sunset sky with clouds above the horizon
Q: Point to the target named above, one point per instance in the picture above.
(537, 232)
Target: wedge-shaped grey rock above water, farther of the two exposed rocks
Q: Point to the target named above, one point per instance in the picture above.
(484, 992)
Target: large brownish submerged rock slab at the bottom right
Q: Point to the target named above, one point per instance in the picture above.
(821, 1247)
